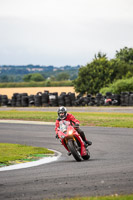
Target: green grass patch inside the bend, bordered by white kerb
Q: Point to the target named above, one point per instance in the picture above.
(20, 153)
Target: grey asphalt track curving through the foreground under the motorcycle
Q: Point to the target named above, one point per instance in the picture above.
(109, 171)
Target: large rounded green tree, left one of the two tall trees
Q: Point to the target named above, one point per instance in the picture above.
(94, 76)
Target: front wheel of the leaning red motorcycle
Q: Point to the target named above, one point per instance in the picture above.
(74, 150)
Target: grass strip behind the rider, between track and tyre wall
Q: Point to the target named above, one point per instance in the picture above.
(123, 120)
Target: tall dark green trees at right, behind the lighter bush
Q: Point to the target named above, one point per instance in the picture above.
(102, 72)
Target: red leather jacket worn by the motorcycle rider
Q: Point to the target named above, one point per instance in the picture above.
(69, 118)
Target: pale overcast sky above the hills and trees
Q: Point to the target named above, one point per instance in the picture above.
(63, 32)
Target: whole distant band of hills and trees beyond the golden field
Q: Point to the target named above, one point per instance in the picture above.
(27, 73)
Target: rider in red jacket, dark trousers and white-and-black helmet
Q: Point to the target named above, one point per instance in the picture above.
(63, 115)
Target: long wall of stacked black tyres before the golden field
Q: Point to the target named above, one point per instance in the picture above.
(45, 99)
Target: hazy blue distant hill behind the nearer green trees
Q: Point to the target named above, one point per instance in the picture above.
(15, 73)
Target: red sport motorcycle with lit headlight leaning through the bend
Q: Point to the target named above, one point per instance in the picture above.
(72, 141)
